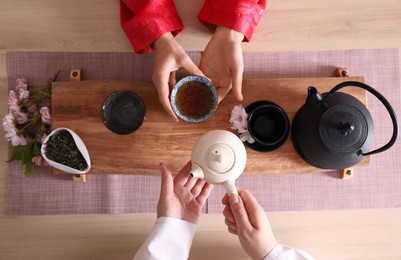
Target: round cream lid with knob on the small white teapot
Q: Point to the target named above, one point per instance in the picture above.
(220, 158)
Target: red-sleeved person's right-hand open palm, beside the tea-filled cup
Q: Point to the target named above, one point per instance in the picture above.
(222, 62)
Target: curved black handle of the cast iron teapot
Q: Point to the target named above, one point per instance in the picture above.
(386, 105)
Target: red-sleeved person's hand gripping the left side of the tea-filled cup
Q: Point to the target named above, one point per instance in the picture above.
(170, 56)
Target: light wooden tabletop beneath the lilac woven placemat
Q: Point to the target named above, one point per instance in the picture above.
(47, 25)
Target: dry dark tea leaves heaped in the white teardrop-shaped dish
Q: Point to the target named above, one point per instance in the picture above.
(61, 148)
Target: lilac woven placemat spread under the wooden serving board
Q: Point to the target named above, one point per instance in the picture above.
(375, 186)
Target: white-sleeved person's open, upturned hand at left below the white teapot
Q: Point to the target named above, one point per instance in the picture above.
(182, 197)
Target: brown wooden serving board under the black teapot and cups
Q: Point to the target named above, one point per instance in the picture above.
(77, 105)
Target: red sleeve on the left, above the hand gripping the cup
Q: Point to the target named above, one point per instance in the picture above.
(143, 21)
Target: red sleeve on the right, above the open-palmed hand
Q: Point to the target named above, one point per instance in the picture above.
(240, 15)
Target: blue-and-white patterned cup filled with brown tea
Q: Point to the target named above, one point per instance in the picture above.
(194, 99)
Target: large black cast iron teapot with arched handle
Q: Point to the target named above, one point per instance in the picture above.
(334, 130)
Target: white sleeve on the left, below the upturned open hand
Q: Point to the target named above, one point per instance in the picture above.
(170, 238)
